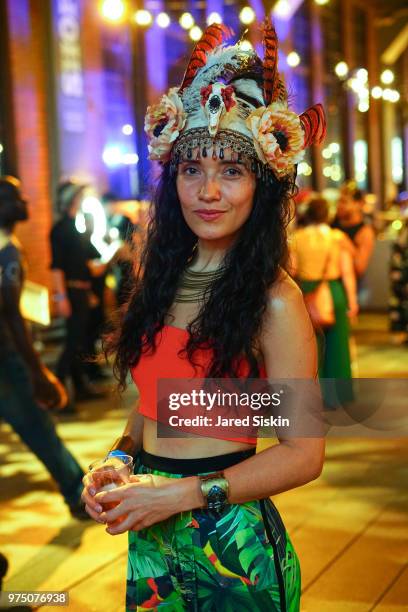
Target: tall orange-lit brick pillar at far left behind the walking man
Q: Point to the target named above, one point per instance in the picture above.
(29, 95)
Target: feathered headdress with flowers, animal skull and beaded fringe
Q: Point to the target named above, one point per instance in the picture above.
(230, 98)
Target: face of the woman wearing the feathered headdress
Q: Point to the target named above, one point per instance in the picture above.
(216, 196)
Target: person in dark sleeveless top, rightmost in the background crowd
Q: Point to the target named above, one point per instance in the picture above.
(350, 220)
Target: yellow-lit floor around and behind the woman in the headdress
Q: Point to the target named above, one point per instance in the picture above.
(350, 527)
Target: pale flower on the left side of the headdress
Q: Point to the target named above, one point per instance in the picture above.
(163, 124)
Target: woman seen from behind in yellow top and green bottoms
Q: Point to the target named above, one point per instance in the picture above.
(320, 251)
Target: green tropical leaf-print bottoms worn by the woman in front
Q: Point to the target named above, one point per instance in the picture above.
(240, 560)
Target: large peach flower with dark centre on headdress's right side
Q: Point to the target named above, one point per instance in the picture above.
(278, 137)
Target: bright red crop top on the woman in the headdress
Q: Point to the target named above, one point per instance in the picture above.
(166, 363)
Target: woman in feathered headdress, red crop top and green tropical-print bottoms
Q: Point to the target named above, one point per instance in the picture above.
(213, 301)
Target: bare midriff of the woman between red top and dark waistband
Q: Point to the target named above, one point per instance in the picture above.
(187, 448)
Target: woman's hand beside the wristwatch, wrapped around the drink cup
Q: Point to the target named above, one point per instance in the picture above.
(147, 500)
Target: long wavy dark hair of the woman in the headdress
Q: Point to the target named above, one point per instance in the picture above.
(230, 321)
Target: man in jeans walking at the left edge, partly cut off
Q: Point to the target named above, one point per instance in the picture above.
(27, 387)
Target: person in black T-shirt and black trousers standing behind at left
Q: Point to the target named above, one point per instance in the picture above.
(74, 264)
